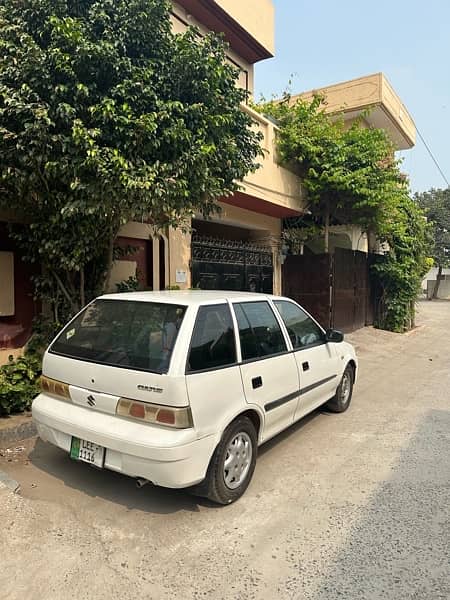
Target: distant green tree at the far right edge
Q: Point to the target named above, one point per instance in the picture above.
(436, 204)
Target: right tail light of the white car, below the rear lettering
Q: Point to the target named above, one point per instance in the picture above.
(179, 418)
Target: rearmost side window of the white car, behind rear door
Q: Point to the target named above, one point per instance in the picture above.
(213, 344)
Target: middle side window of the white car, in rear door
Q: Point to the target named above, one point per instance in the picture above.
(259, 331)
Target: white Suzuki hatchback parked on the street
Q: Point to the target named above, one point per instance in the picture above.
(180, 388)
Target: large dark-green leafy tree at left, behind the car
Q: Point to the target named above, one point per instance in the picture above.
(106, 116)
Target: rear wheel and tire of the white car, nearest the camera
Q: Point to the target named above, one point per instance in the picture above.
(232, 464)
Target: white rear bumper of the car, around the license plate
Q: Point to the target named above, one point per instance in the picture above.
(166, 457)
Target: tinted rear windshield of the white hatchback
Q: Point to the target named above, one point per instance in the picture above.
(123, 333)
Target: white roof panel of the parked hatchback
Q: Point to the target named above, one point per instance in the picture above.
(187, 297)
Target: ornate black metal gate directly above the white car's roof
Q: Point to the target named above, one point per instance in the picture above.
(231, 265)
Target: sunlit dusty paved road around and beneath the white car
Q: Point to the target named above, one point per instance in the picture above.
(353, 506)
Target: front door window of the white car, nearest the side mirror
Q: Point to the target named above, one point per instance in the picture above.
(303, 331)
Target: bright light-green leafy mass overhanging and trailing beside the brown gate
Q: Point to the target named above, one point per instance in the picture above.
(351, 176)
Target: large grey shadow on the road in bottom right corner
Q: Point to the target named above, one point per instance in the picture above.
(399, 548)
